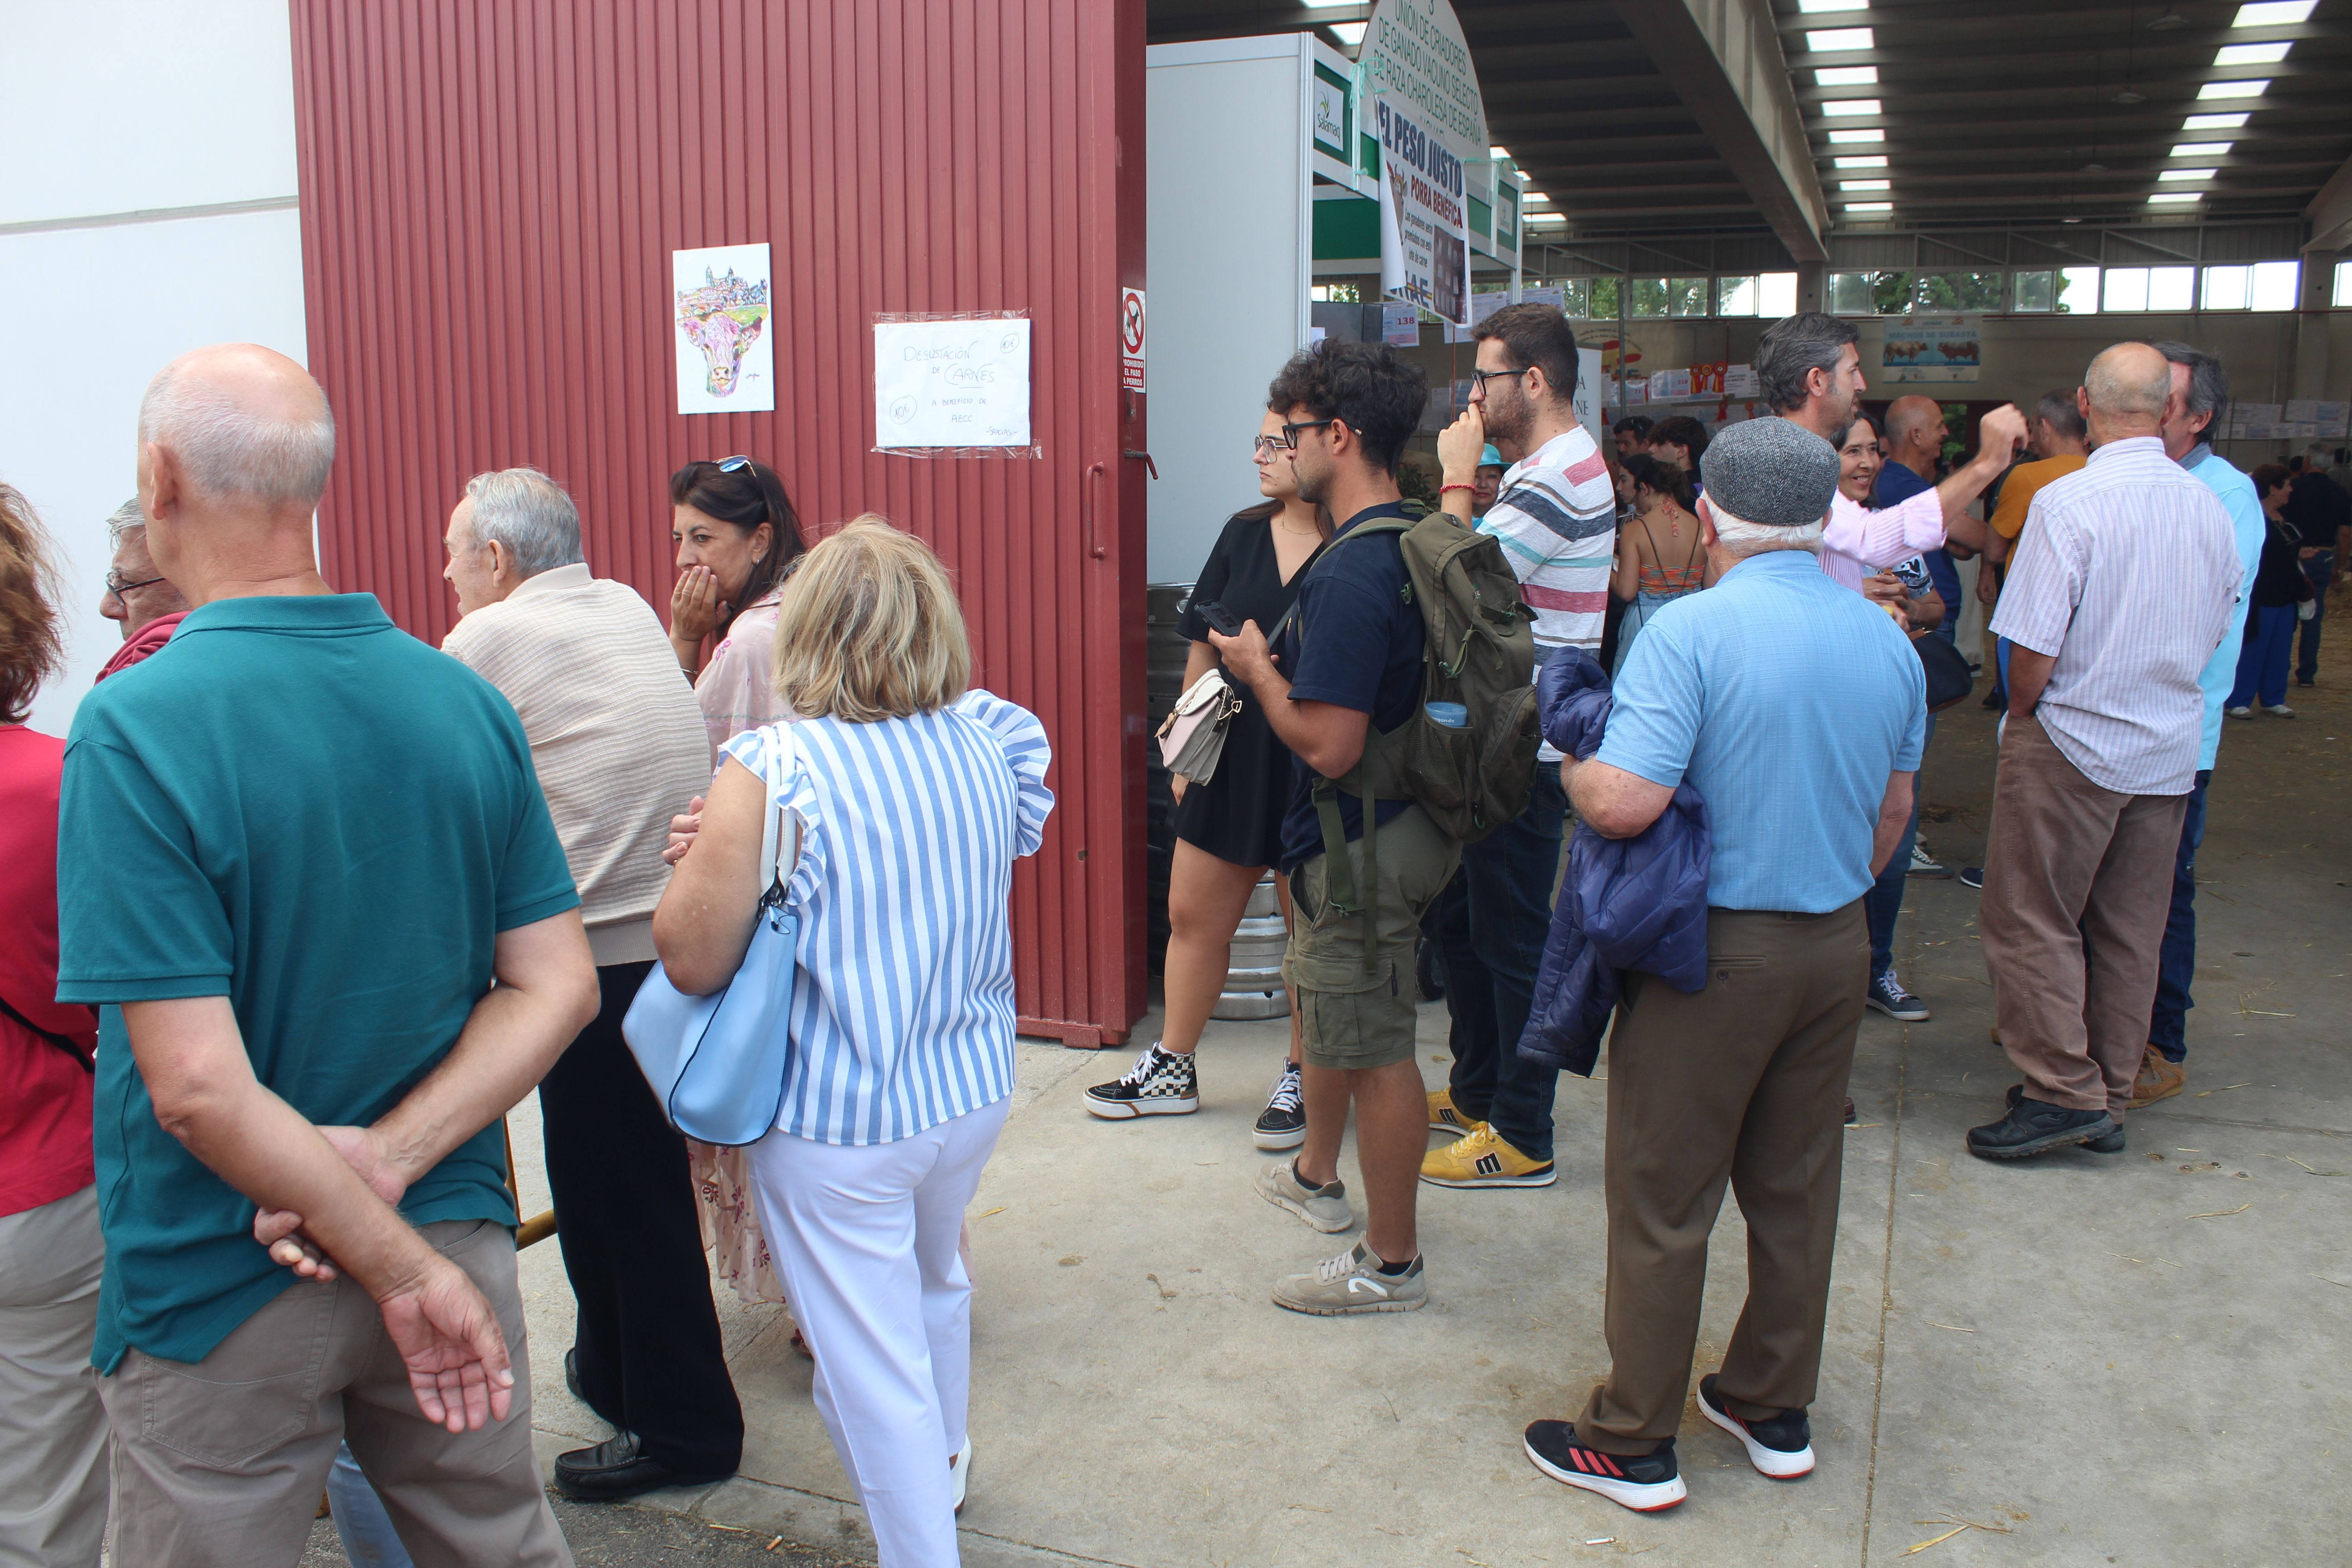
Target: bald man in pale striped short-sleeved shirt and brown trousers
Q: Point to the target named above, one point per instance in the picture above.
(2123, 591)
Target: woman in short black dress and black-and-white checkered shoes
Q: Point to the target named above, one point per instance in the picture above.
(1229, 831)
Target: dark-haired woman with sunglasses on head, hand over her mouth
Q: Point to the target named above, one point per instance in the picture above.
(737, 540)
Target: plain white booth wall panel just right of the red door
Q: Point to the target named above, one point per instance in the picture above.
(1227, 255)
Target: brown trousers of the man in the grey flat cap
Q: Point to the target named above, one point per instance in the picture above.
(1742, 1083)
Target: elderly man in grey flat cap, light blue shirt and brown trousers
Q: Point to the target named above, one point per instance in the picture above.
(1798, 711)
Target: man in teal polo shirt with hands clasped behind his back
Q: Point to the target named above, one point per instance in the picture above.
(295, 859)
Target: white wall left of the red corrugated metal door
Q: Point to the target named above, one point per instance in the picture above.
(121, 119)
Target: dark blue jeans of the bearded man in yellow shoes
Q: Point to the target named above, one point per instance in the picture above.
(1492, 925)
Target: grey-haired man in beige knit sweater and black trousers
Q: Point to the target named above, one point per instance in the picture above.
(620, 746)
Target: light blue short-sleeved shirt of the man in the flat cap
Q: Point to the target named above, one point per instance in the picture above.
(1784, 699)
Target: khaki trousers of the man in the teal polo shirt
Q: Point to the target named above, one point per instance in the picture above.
(220, 1463)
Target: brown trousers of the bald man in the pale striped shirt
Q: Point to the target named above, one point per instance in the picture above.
(2078, 887)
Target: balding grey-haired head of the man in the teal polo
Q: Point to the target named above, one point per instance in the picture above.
(241, 427)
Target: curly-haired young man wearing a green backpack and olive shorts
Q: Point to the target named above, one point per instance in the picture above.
(1431, 751)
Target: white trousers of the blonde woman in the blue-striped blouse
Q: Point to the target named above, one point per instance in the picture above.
(867, 1249)
